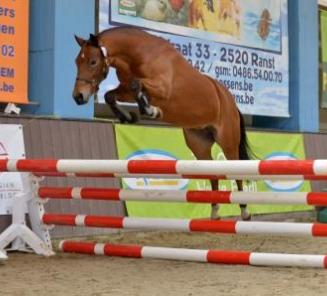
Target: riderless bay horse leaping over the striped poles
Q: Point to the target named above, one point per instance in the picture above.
(165, 86)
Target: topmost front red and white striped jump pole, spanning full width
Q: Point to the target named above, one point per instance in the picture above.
(171, 167)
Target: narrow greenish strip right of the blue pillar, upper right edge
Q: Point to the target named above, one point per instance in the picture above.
(323, 30)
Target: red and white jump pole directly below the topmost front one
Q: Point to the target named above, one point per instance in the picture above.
(192, 196)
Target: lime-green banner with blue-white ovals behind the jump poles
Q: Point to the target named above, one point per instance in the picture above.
(138, 142)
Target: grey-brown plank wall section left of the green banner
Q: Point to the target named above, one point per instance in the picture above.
(46, 138)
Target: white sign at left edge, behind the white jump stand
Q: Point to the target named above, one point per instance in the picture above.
(11, 146)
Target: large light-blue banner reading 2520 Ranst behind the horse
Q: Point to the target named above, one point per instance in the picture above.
(241, 43)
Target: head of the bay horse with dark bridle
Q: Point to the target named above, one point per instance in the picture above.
(92, 68)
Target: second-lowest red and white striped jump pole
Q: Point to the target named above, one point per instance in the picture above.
(189, 225)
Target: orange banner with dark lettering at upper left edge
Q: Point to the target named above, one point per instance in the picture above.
(14, 30)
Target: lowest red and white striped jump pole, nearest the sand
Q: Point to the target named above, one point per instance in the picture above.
(209, 256)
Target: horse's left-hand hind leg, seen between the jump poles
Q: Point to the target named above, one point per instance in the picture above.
(200, 142)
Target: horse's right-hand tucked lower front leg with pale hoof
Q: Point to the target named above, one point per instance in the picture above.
(143, 101)
